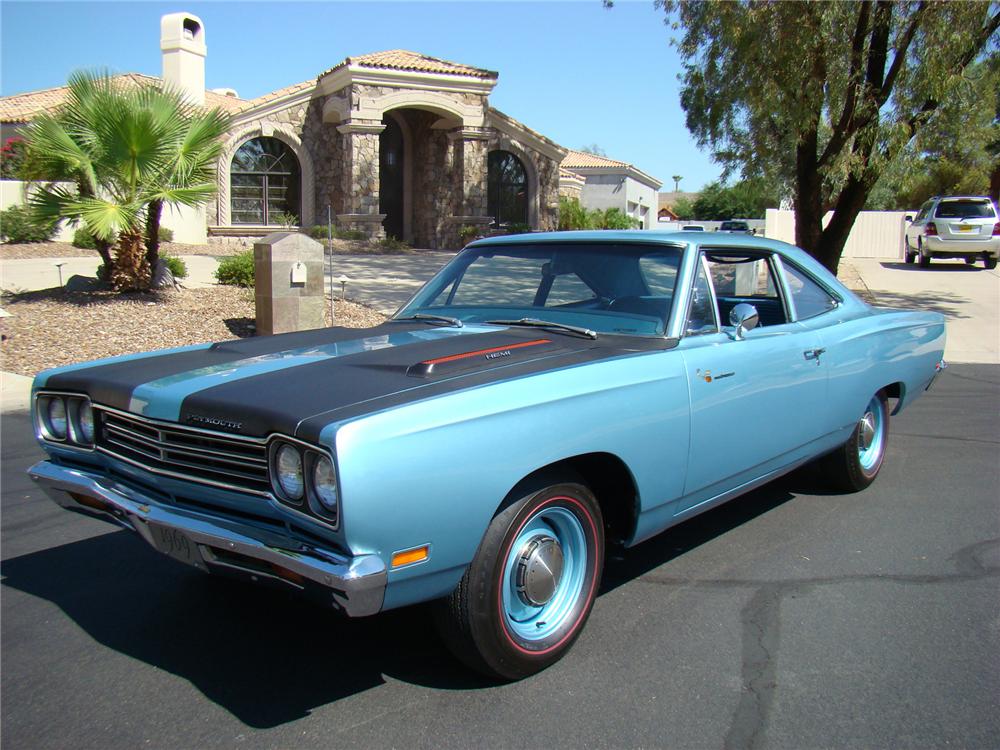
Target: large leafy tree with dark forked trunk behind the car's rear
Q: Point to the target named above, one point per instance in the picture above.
(822, 97)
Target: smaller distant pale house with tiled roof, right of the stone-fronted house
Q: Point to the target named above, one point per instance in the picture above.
(607, 183)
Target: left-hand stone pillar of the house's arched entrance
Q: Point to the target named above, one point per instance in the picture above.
(360, 178)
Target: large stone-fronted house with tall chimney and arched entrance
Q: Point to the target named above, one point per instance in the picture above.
(395, 143)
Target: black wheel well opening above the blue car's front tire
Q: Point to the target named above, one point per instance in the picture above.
(608, 478)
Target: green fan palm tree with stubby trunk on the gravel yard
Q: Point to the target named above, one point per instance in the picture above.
(129, 150)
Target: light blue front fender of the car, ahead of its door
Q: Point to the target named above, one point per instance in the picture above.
(435, 471)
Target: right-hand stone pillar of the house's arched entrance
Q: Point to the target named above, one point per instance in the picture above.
(471, 162)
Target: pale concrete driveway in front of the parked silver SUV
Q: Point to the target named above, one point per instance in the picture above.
(968, 296)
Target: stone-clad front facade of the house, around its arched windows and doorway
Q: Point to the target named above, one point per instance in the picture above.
(448, 131)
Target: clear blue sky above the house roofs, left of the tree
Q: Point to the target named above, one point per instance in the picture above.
(574, 71)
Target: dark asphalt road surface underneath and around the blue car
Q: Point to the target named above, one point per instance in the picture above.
(789, 618)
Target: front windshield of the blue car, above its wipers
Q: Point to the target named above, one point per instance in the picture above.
(620, 288)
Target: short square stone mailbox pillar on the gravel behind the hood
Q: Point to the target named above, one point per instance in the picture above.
(288, 269)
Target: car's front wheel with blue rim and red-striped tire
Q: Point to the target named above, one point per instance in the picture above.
(530, 588)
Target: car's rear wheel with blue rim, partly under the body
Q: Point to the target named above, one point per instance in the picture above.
(854, 465)
